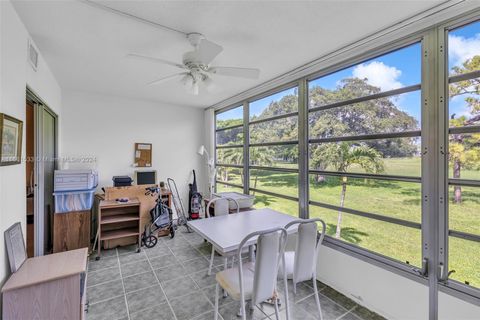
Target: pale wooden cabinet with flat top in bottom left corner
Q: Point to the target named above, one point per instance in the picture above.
(48, 287)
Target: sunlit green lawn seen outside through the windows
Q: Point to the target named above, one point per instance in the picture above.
(390, 198)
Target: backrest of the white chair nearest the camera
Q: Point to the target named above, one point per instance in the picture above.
(270, 249)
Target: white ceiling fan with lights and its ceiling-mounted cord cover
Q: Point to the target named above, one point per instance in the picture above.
(196, 68)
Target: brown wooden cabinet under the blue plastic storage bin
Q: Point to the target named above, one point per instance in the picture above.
(71, 230)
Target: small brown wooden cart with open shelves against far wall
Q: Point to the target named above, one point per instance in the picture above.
(118, 220)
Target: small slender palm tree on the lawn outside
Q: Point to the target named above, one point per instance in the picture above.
(341, 156)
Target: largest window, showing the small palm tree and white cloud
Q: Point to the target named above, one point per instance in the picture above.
(364, 154)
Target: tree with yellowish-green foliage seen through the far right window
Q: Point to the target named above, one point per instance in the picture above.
(464, 149)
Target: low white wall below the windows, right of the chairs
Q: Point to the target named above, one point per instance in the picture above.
(387, 293)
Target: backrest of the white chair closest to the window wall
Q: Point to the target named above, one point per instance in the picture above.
(307, 248)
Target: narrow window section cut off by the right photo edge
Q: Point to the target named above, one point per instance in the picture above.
(464, 153)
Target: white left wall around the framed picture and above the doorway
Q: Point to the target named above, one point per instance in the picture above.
(15, 74)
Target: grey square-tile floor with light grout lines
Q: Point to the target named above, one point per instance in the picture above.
(170, 281)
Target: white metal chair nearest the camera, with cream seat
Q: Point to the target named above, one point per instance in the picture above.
(255, 281)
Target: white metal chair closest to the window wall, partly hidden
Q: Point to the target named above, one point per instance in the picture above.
(301, 264)
